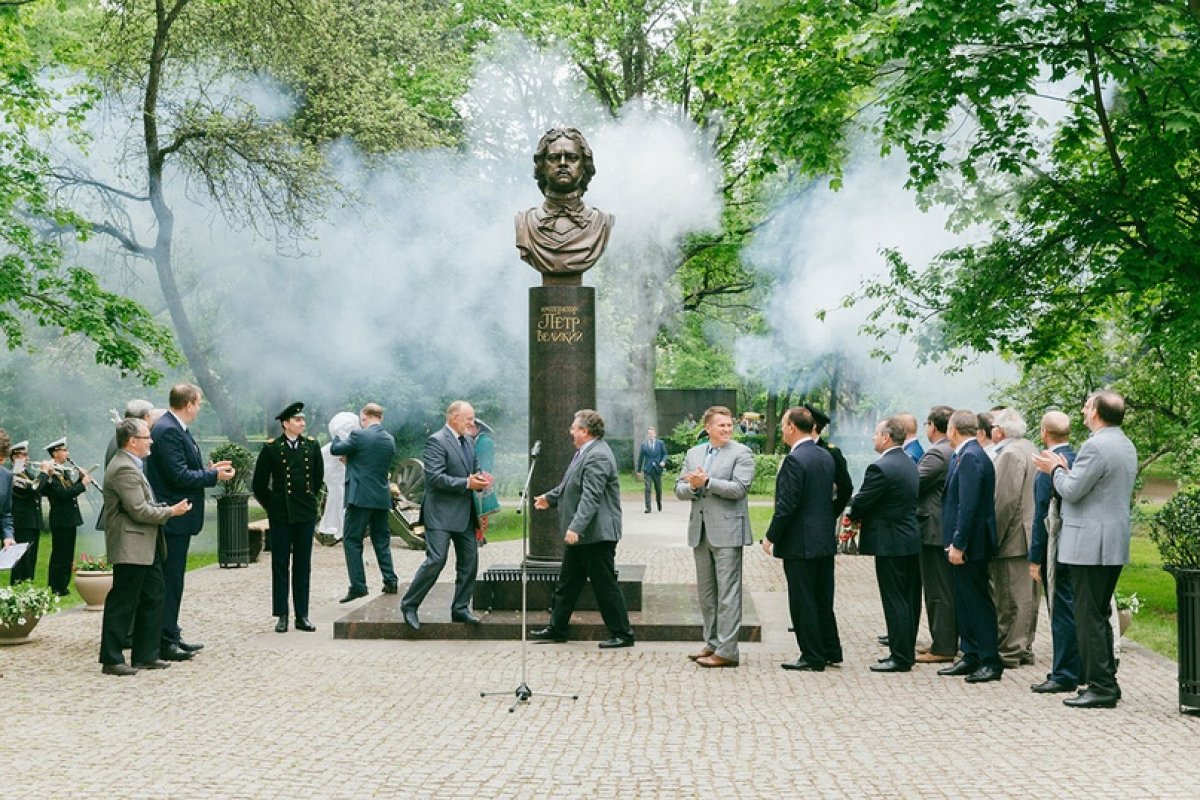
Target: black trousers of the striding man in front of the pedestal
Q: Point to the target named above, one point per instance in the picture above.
(595, 563)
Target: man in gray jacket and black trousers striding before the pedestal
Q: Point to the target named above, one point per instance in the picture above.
(589, 502)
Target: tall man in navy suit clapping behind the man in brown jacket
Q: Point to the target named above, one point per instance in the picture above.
(177, 472)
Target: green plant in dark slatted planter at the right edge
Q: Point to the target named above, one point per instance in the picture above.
(1175, 531)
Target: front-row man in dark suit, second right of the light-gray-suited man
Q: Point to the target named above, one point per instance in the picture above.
(886, 506)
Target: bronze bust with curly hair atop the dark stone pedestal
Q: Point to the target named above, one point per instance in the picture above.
(563, 239)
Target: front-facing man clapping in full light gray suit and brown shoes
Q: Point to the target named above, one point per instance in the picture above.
(717, 478)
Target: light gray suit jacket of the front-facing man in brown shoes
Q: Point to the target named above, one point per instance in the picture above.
(721, 508)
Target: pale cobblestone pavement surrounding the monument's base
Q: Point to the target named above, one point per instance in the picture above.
(263, 715)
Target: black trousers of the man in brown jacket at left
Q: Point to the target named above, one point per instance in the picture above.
(136, 599)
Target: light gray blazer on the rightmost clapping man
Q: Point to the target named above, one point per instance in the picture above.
(1096, 495)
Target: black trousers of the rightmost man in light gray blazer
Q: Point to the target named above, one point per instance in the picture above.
(1094, 587)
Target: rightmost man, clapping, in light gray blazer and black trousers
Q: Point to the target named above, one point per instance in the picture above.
(1095, 539)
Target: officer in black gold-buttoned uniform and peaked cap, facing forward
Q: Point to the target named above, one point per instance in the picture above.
(287, 482)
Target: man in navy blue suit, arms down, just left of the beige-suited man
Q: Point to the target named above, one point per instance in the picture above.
(969, 533)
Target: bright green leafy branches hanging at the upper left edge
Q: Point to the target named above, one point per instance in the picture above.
(39, 285)
